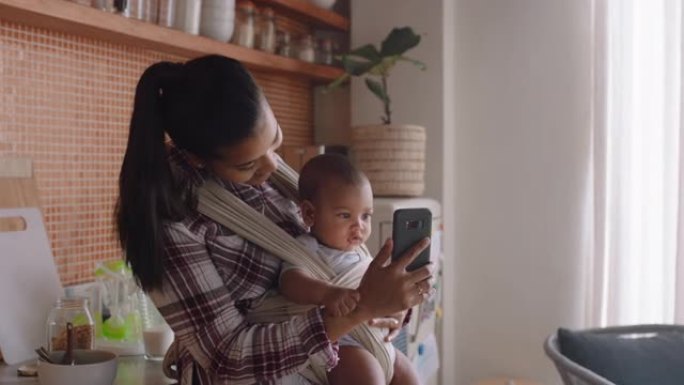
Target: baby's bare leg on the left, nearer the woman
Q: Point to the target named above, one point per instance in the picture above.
(357, 366)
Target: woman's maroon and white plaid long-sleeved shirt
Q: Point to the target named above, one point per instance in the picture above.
(211, 277)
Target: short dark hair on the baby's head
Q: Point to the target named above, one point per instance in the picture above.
(322, 168)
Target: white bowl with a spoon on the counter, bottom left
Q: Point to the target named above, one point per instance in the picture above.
(93, 367)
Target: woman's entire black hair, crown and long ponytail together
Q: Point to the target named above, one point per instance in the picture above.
(203, 105)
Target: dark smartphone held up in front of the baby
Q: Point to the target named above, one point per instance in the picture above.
(409, 227)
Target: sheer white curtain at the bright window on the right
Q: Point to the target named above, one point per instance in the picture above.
(637, 263)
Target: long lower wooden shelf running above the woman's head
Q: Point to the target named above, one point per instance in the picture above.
(68, 17)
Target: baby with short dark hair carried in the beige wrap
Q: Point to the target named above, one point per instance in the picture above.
(337, 205)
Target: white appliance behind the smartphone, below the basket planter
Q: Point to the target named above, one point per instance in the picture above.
(419, 339)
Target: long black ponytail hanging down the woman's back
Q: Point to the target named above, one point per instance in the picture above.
(148, 196)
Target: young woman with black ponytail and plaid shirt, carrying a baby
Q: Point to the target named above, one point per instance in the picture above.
(202, 276)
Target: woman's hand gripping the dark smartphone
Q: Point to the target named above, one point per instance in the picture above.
(387, 288)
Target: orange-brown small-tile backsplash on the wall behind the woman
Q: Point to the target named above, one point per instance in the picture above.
(66, 104)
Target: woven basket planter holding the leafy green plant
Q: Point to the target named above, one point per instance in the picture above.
(393, 158)
